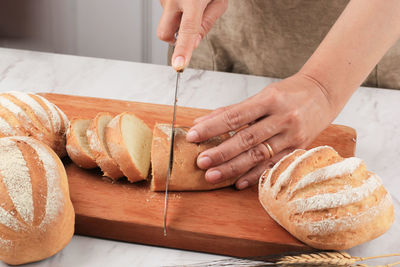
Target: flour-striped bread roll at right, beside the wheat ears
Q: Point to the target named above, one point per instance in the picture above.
(326, 201)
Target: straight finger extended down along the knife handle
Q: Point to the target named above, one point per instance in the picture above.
(188, 36)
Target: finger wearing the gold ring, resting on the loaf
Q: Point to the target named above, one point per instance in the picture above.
(239, 165)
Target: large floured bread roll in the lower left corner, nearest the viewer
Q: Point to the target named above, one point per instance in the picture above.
(36, 213)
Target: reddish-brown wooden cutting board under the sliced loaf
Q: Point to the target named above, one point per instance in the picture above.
(225, 221)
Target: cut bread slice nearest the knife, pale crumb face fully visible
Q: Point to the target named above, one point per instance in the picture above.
(129, 141)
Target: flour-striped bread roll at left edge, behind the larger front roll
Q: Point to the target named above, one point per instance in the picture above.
(27, 114)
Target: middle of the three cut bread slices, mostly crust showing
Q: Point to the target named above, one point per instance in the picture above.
(97, 143)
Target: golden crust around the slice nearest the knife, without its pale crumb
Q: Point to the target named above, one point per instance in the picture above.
(119, 150)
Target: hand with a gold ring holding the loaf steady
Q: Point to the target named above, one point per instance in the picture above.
(286, 115)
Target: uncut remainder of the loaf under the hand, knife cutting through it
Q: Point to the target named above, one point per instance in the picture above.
(186, 176)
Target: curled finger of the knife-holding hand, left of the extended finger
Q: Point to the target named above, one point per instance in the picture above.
(169, 22)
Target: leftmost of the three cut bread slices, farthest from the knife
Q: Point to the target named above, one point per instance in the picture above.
(77, 144)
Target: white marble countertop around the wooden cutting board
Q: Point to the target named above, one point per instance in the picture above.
(374, 113)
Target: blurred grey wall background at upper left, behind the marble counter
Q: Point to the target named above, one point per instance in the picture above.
(115, 29)
